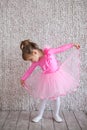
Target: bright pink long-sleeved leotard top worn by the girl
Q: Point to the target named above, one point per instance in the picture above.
(48, 62)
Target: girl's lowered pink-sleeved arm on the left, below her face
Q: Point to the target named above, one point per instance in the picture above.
(29, 71)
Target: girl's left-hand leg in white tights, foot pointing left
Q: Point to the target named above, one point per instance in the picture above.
(41, 111)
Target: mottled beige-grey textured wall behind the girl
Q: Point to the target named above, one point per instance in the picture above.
(53, 22)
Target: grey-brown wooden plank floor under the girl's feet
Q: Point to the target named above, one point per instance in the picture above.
(21, 120)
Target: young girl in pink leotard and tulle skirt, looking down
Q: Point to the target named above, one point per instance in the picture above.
(56, 79)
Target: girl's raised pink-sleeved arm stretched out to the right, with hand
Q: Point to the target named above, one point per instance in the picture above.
(63, 48)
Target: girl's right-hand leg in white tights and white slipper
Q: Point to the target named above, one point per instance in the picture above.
(56, 111)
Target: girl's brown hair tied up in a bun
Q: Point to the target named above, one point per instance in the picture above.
(27, 48)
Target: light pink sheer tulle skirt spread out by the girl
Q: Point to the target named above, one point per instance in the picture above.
(52, 85)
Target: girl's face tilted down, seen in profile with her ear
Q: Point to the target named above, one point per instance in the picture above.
(34, 57)
